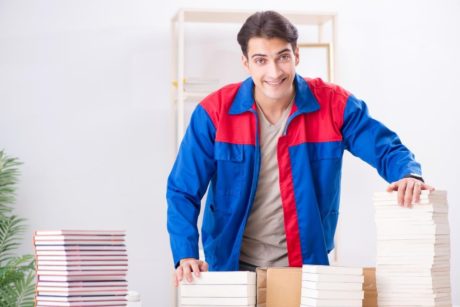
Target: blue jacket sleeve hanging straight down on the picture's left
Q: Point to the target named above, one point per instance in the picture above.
(187, 183)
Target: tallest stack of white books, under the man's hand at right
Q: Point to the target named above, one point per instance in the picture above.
(413, 251)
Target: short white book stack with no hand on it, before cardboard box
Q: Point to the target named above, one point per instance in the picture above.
(332, 286)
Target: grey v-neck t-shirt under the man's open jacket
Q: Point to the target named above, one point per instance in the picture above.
(264, 239)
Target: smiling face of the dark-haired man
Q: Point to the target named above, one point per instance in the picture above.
(271, 64)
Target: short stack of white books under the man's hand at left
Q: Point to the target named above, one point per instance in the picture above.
(219, 289)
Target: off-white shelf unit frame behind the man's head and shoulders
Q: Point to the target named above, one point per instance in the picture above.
(188, 16)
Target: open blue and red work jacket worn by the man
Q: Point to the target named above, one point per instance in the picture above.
(221, 149)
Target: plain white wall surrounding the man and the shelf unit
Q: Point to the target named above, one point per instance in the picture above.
(84, 103)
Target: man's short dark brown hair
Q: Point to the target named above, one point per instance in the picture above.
(268, 24)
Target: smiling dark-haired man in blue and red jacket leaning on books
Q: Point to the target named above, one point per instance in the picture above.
(271, 148)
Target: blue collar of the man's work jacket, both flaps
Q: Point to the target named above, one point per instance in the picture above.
(304, 100)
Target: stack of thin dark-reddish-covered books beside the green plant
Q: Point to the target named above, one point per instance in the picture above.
(80, 268)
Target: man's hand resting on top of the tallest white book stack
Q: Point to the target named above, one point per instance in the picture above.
(408, 190)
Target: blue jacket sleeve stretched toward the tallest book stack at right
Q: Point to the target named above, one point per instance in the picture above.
(371, 141)
